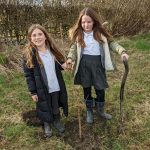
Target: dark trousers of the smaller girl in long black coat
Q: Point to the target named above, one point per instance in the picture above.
(53, 102)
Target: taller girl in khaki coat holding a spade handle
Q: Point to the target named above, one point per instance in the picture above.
(90, 56)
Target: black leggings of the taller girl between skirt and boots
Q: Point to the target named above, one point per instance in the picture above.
(100, 94)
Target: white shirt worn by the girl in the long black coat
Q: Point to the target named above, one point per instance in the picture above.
(49, 66)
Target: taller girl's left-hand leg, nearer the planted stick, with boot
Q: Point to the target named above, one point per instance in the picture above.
(89, 104)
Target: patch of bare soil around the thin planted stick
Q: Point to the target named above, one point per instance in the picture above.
(89, 140)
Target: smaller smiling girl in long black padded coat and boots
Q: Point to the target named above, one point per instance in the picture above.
(42, 69)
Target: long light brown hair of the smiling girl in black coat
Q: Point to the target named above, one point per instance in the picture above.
(28, 50)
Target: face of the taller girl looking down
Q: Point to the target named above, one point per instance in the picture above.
(87, 23)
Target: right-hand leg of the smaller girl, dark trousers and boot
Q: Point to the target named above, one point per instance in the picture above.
(56, 113)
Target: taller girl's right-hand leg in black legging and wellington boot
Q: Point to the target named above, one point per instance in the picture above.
(100, 102)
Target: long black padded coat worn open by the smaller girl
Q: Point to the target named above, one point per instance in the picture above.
(37, 84)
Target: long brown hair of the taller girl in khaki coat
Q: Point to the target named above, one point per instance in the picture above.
(76, 32)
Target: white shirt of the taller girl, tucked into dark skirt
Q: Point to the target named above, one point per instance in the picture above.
(92, 46)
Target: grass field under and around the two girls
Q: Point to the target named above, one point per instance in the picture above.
(17, 133)
